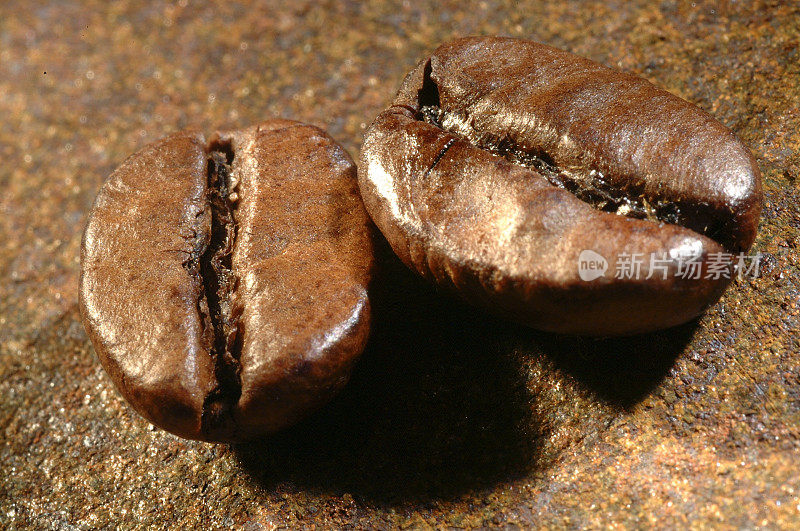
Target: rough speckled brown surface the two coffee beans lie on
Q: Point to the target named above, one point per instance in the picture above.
(452, 418)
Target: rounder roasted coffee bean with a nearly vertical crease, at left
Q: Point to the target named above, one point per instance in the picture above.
(224, 281)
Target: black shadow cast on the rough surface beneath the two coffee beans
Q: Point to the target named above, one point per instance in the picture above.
(443, 400)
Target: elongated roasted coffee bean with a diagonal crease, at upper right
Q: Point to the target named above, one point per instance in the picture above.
(504, 165)
